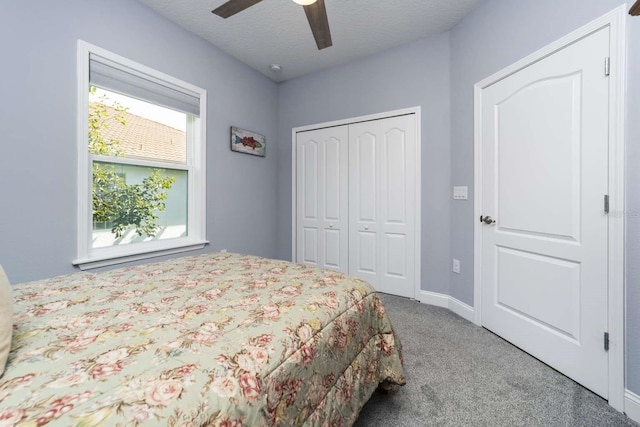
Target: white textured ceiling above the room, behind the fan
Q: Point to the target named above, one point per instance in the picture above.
(277, 31)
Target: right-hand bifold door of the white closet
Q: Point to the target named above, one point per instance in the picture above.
(382, 175)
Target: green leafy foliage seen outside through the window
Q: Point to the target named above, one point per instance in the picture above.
(115, 202)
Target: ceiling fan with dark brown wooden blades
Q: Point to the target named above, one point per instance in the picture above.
(314, 9)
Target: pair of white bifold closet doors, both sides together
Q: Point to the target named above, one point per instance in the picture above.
(356, 200)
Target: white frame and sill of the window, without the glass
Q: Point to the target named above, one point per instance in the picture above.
(89, 257)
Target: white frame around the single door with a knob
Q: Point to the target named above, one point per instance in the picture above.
(615, 20)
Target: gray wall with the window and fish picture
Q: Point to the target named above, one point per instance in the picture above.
(38, 115)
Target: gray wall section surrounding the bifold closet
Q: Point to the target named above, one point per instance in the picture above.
(411, 75)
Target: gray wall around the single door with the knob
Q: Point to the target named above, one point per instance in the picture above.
(498, 33)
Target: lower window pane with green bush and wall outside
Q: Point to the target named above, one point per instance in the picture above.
(134, 204)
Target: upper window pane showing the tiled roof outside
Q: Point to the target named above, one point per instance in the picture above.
(123, 126)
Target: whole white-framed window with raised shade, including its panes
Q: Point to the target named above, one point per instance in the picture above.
(141, 161)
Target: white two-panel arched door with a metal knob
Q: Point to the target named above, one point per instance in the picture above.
(544, 179)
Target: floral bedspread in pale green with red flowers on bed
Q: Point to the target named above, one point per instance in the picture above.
(217, 339)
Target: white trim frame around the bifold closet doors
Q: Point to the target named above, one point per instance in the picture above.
(418, 178)
